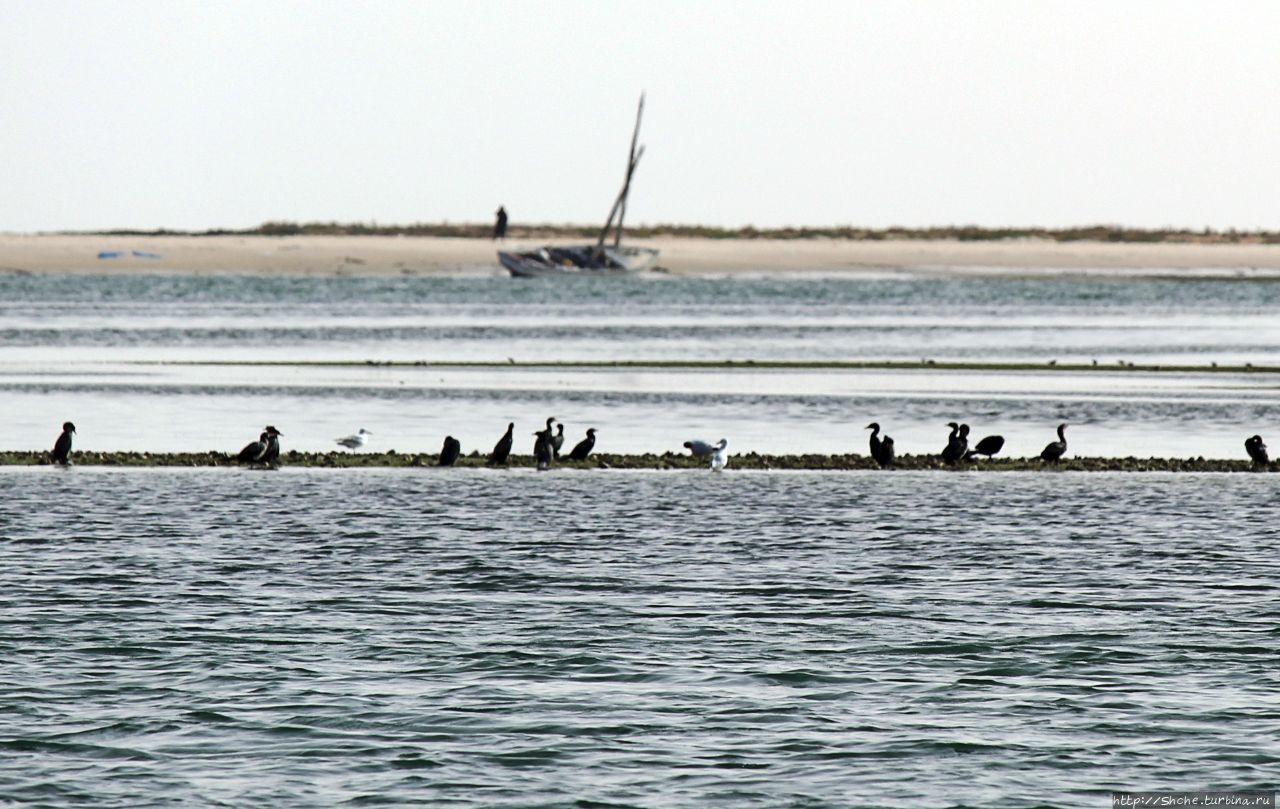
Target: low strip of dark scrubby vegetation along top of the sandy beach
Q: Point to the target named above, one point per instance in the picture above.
(963, 234)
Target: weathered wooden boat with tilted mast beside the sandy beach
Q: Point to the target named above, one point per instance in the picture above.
(593, 260)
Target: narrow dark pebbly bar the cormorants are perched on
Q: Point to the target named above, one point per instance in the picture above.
(749, 461)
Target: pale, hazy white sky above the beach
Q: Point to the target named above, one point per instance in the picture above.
(225, 115)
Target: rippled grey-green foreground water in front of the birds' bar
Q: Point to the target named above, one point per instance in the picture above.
(630, 639)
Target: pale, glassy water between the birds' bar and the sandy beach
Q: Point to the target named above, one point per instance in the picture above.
(85, 348)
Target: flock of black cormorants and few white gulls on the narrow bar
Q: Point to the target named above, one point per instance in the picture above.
(551, 440)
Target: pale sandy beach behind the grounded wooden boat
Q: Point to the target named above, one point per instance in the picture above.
(355, 255)
